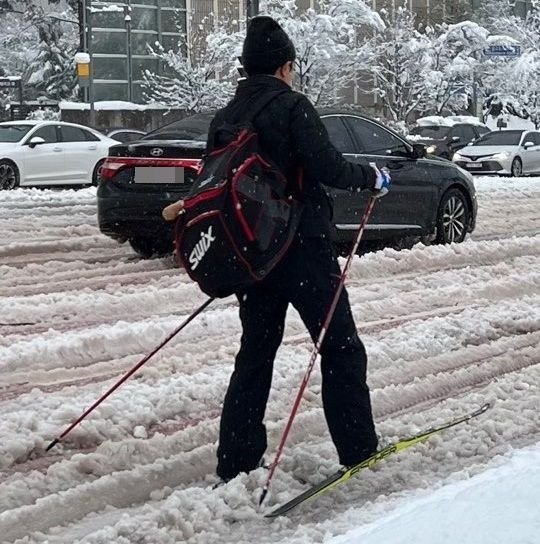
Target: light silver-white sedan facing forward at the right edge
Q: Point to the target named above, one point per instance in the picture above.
(503, 152)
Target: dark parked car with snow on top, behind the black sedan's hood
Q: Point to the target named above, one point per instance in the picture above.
(443, 136)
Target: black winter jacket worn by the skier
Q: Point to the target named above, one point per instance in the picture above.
(292, 134)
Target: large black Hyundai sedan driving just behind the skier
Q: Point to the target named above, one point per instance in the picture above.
(430, 198)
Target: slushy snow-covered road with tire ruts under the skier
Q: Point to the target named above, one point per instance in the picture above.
(446, 328)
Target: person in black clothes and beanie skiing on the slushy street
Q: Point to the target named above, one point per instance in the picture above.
(292, 134)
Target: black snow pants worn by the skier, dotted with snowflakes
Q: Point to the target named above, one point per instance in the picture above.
(307, 278)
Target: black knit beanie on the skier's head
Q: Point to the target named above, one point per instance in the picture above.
(266, 47)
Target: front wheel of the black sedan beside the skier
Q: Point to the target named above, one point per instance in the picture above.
(453, 217)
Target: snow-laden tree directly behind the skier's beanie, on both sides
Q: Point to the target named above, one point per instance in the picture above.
(329, 54)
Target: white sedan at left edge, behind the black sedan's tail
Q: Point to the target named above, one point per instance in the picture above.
(48, 153)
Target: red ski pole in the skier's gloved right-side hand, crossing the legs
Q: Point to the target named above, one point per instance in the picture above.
(317, 348)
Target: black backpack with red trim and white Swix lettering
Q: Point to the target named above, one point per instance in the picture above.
(241, 214)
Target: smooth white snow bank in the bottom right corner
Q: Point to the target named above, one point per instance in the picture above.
(499, 505)
